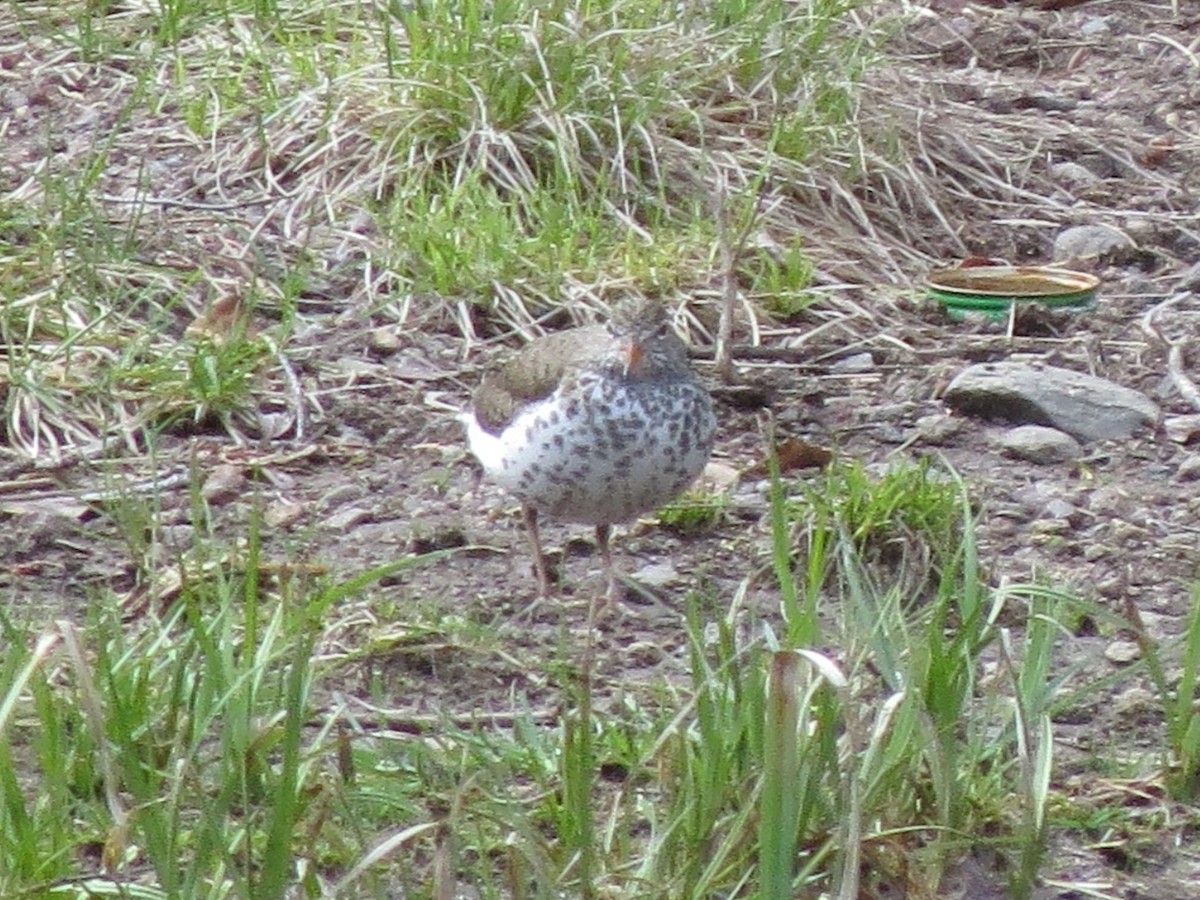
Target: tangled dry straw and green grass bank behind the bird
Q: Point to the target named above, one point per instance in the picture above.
(328, 171)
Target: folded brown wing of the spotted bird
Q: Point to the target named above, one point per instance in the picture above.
(535, 374)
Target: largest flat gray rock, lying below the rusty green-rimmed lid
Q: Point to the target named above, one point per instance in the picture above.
(1085, 407)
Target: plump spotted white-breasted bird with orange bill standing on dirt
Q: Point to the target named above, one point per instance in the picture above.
(595, 425)
